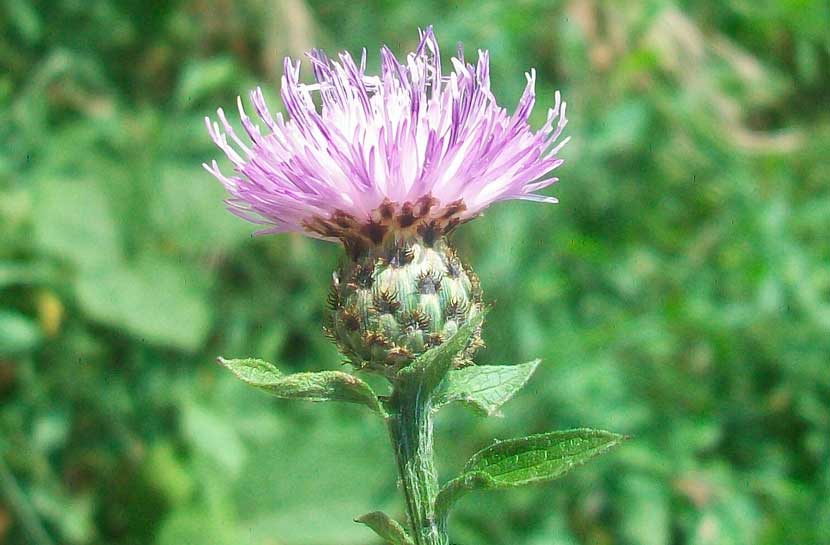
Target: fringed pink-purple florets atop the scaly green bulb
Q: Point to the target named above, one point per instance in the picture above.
(410, 143)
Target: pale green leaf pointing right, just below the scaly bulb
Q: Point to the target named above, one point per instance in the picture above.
(484, 387)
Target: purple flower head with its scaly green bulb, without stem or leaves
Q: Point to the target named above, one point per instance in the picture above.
(389, 165)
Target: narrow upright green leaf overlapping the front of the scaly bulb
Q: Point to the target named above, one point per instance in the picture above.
(430, 368)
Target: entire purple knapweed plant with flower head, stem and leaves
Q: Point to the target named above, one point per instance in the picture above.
(390, 165)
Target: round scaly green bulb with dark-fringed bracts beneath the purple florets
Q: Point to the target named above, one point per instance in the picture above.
(399, 298)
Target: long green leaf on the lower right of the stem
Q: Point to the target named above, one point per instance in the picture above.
(527, 460)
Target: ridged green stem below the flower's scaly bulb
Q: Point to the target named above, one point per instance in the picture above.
(410, 428)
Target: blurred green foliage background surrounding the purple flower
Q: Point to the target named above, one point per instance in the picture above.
(680, 292)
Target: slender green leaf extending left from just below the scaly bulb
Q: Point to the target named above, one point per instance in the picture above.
(313, 386)
